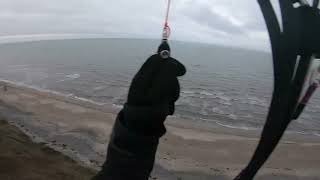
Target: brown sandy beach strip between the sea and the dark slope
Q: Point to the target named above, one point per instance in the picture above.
(190, 150)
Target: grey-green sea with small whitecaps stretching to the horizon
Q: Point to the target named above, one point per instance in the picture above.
(227, 86)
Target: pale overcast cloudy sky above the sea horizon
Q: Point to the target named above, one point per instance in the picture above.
(229, 22)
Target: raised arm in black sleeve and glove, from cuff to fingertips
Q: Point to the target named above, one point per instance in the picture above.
(152, 94)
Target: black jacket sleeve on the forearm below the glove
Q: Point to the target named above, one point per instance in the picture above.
(129, 155)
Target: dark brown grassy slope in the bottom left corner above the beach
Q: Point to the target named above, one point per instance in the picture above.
(22, 159)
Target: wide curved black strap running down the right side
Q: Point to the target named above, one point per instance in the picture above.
(290, 72)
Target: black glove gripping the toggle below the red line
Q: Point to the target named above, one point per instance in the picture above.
(152, 95)
